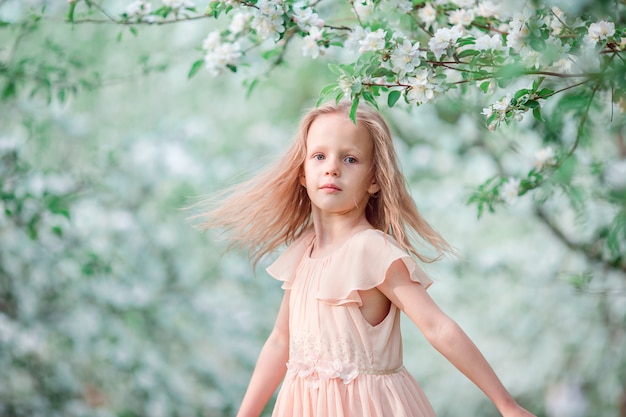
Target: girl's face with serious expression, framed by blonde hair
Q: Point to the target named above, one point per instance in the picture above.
(338, 165)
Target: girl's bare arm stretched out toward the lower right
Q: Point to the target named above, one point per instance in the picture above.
(445, 335)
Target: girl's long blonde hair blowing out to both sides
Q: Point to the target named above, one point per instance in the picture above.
(273, 208)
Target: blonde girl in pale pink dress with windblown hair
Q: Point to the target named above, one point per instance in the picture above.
(338, 198)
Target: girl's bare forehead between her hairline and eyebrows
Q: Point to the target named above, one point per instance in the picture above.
(336, 129)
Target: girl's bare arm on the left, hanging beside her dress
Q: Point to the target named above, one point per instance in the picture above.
(270, 367)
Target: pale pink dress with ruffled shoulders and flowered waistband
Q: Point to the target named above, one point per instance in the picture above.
(339, 364)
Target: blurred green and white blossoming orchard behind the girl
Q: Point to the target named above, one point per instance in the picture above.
(113, 304)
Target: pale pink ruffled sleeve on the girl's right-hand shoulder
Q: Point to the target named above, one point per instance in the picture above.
(362, 265)
